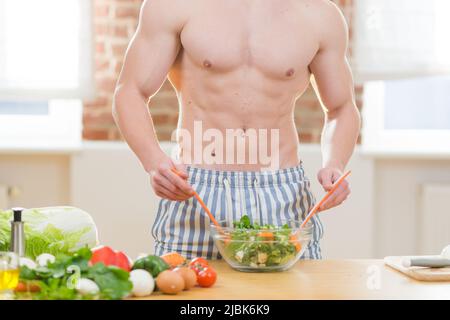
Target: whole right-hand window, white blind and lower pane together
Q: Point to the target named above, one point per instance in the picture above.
(402, 55)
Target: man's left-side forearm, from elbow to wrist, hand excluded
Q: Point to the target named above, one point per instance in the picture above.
(135, 123)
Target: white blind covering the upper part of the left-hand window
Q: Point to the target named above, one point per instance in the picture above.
(45, 49)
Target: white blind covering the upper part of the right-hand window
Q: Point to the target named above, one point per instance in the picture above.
(401, 38)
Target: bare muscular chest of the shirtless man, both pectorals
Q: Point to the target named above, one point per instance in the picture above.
(275, 41)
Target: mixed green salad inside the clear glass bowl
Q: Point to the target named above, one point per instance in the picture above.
(259, 246)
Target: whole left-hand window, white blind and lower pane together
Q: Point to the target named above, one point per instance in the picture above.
(46, 69)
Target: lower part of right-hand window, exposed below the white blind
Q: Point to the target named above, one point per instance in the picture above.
(407, 116)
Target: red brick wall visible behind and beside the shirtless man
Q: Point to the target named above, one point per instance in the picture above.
(114, 23)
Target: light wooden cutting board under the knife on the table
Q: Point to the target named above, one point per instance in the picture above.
(418, 273)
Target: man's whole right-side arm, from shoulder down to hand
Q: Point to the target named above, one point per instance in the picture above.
(334, 84)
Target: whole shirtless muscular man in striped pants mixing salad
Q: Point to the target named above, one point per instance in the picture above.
(236, 65)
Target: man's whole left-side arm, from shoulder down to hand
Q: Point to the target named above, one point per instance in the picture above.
(151, 53)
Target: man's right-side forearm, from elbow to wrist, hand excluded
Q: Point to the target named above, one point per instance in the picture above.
(340, 135)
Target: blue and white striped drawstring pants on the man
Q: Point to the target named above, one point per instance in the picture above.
(267, 197)
